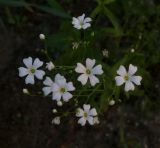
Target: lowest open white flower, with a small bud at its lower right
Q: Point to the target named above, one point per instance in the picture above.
(86, 114)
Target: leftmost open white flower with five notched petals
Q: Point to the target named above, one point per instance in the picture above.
(31, 70)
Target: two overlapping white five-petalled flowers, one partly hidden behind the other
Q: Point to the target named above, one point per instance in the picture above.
(59, 88)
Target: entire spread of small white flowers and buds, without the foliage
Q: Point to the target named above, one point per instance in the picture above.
(59, 89)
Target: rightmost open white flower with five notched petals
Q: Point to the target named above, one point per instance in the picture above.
(128, 77)
